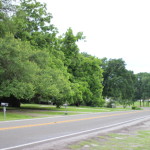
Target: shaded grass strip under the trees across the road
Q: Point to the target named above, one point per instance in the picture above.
(29, 111)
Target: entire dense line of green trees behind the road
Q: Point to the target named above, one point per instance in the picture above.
(37, 65)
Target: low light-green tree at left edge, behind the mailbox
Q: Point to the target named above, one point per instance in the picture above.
(17, 71)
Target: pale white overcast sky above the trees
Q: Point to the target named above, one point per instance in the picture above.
(113, 28)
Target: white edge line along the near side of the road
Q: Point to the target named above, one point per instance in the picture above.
(73, 134)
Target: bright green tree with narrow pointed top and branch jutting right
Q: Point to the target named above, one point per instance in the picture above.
(86, 74)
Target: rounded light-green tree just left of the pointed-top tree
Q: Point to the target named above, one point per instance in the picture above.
(52, 80)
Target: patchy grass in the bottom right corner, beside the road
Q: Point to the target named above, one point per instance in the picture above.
(138, 141)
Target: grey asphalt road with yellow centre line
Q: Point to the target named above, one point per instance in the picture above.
(19, 134)
